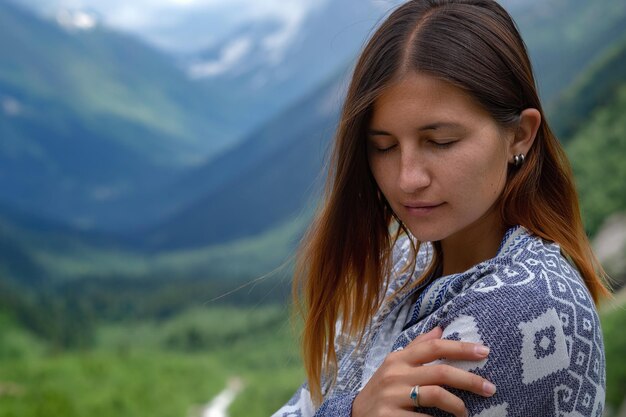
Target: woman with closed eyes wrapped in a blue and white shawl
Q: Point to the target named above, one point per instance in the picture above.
(450, 236)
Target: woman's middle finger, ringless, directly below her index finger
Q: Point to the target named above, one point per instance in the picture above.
(453, 377)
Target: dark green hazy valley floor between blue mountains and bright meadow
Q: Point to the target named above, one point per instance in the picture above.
(61, 282)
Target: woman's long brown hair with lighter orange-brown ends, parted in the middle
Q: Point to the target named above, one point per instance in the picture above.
(344, 259)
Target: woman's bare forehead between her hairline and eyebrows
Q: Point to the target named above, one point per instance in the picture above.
(422, 98)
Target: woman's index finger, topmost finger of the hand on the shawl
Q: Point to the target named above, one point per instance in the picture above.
(433, 349)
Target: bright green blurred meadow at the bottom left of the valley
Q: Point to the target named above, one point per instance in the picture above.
(154, 369)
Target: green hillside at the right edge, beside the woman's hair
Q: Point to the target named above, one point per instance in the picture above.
(598, 148)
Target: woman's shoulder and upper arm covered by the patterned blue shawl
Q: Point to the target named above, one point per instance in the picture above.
(532, 309)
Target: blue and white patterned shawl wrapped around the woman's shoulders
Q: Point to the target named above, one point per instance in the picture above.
(528, 304)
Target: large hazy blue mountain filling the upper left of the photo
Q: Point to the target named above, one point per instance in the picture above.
(92, 119)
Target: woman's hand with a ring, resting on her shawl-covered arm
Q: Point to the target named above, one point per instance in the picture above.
(387, 392)
